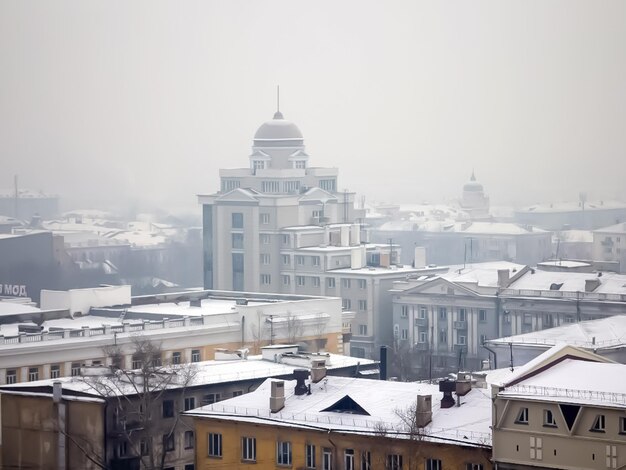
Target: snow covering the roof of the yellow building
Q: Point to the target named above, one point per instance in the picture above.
(383, 401)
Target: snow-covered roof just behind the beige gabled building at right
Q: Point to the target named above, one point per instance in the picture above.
(592, 334)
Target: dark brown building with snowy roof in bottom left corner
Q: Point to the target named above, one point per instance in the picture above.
(102, 419)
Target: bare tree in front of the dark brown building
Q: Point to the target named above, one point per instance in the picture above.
(140, 397)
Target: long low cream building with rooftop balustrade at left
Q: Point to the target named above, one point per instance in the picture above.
(75, 328)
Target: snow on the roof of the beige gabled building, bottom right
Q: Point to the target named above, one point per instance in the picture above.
(575, 381)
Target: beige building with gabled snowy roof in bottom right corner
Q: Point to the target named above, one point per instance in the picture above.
(565, 410)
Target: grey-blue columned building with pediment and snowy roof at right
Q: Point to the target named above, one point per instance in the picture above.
(445, 319)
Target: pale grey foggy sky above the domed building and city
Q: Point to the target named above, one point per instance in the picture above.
(147, 100)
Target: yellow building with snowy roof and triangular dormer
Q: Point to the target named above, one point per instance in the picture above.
(345, 423)
